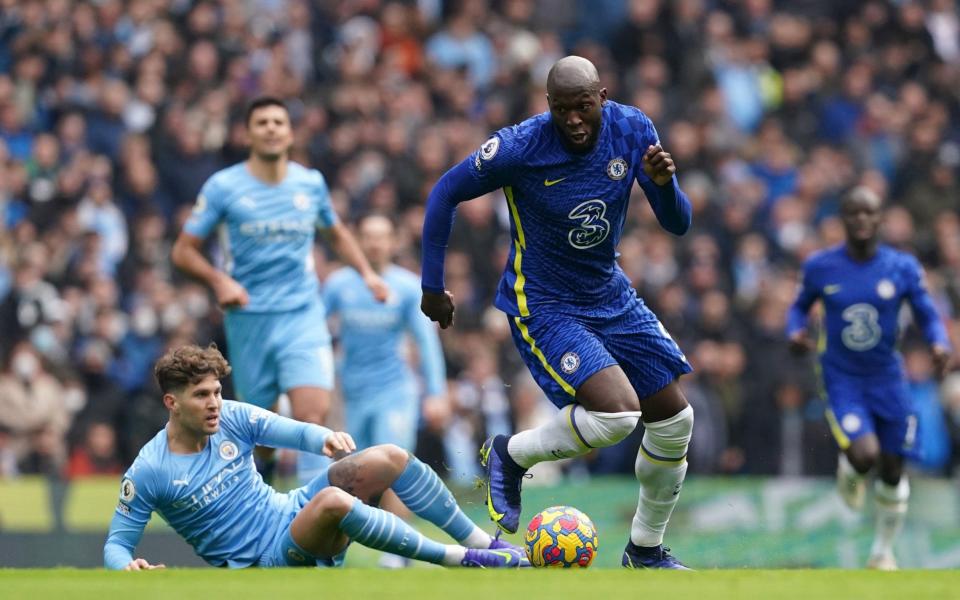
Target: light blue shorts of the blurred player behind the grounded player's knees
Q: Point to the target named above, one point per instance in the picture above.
(387, 416)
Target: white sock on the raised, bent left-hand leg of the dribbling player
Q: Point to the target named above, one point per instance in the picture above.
(572, 431)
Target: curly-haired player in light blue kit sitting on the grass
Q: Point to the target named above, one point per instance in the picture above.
(198, 475)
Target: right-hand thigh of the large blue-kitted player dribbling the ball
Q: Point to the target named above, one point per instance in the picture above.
(648, 355)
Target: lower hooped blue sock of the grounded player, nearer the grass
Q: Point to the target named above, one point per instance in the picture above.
(380, 530)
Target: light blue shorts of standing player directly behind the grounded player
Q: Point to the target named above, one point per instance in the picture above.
(273, 352)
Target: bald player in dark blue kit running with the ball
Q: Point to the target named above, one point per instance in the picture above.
(592, 345)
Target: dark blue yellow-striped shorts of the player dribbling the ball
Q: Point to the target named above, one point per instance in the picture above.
(563, 350)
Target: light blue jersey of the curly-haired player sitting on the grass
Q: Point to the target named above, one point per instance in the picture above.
(214, 499)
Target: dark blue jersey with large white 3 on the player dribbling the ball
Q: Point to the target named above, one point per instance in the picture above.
(566, 210)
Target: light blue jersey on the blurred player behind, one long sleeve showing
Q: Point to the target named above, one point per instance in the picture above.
(372, 333)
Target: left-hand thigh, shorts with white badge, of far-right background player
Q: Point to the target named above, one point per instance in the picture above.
(847, 413)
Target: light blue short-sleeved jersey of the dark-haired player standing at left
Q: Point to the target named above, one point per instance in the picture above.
(266, 232)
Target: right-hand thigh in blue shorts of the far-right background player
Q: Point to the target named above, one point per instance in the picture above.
(894, 418)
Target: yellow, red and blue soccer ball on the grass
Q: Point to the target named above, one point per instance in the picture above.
(561, 536)
